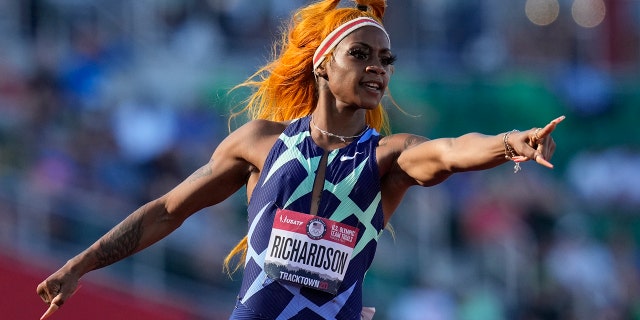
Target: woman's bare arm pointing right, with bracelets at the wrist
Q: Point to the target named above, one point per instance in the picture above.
(432, 161)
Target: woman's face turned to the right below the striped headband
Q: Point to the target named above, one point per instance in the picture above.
(360, 68)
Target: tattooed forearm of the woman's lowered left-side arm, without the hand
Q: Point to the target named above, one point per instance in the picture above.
(142, 228)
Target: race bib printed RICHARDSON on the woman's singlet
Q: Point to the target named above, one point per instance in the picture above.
(309, 250)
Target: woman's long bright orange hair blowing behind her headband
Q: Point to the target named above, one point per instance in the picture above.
(285, 88)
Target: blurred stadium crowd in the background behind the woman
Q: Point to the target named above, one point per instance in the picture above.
(107, 105)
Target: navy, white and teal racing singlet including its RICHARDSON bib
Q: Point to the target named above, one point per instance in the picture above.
(350, 203)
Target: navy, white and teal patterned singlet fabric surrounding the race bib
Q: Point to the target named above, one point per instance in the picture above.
(351, 195)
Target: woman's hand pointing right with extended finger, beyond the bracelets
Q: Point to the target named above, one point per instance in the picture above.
(535, 144)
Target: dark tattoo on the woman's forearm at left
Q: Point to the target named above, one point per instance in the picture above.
(120, 243)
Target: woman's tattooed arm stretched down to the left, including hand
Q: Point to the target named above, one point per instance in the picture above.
(223, 175)
